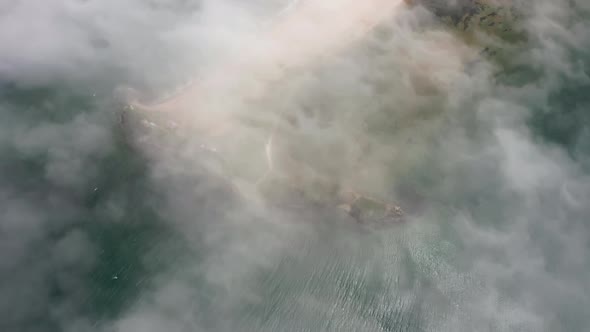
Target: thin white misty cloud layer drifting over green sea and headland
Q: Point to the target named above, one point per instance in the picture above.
(499, 243)
